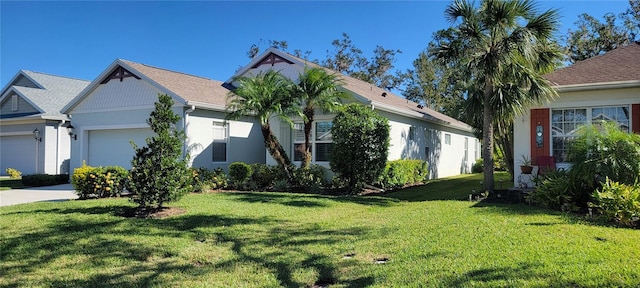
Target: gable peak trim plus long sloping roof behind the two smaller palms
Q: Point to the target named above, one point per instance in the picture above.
(362, 91)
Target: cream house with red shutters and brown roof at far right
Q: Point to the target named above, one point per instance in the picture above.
(605, 87)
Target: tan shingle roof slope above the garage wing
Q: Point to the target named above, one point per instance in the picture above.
(188, 87)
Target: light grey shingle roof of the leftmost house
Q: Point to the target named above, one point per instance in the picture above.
(57, 92)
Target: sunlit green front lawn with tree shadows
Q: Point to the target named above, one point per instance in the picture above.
(299, 240)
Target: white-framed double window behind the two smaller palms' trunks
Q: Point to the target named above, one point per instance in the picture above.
(320, 141)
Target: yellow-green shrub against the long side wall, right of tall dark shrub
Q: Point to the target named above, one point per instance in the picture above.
(399, 173)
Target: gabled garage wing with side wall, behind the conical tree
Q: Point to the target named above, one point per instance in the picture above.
(112, 111)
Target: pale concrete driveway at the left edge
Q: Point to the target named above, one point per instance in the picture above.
(37, 194)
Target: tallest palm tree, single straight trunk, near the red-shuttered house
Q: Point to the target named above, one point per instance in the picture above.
(503, 45)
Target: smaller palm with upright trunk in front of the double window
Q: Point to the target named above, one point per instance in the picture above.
(317, 89)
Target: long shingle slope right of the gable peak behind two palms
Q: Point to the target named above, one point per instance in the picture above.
(400, 104)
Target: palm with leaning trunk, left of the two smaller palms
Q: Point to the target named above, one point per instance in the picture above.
(263, 96)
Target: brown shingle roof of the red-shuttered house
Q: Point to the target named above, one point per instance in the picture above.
(621, 64)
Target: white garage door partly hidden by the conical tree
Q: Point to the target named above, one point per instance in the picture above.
(113, 148)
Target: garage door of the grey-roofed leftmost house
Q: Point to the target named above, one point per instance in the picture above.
(18, 152)
